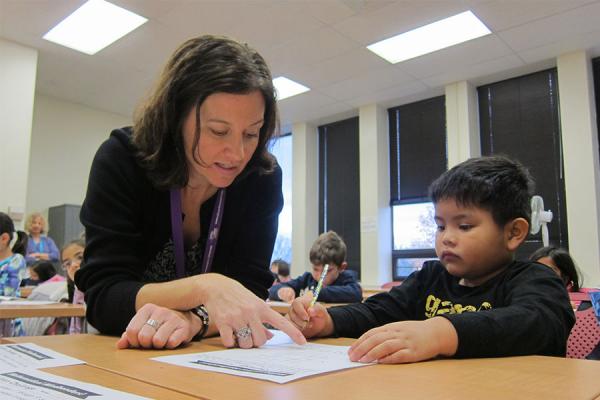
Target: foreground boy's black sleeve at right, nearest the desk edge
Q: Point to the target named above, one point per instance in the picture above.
(536, 319)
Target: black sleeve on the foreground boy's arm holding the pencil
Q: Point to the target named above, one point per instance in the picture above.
(396, 305)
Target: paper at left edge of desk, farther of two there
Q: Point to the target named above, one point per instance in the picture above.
(30, 355)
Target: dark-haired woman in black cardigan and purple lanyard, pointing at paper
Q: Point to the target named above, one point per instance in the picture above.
(195, 161)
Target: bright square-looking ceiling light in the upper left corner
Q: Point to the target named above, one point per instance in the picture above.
(93, 26)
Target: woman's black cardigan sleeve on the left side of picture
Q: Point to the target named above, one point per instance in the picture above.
(112, 272)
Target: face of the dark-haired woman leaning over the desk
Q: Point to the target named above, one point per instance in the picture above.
(229, 131)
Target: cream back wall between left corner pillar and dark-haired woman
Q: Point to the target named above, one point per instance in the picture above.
(64, 139)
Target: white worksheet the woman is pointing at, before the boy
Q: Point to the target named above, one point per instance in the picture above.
(278, 363)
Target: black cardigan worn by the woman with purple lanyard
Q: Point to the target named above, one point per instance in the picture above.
(128, 234)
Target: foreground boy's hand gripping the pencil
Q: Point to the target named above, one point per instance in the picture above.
(313, 321)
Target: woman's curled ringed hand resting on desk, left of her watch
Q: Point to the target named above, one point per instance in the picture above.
(158, 327)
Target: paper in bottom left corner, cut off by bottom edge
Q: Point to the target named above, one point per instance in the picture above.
(32, 384)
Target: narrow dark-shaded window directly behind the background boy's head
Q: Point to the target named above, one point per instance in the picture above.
(339, 186)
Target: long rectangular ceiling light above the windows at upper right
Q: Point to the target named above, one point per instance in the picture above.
(429, 38)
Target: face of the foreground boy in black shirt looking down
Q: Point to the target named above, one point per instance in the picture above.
(469, 243)
